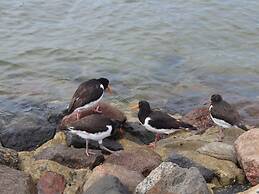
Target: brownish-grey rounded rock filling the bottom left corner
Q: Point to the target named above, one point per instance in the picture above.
(15, 181)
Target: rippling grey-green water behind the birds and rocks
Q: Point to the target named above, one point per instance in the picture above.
(172, 53)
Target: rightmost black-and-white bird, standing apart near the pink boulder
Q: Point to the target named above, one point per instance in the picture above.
(224, 115)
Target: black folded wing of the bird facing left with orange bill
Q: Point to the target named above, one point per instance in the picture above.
(160, 120)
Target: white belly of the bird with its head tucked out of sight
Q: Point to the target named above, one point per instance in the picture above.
(93, 136)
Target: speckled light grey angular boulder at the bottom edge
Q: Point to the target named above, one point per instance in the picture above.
(170, 178)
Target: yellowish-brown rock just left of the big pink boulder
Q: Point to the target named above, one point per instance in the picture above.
(227, 172)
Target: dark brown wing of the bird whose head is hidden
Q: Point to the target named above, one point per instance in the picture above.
(93, 123)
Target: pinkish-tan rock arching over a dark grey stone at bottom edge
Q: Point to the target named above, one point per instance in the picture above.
(128, 178)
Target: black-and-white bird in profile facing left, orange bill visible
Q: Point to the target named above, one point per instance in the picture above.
(159, 122)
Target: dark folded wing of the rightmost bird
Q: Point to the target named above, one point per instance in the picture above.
(226, 112)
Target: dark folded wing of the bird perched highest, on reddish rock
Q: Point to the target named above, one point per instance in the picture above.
(87, 92)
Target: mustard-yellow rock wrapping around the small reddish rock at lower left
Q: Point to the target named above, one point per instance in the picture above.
(74, 177)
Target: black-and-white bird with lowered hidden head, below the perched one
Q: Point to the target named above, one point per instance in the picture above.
(94, 127)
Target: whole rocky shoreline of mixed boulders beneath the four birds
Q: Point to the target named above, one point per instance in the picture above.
(39, 157)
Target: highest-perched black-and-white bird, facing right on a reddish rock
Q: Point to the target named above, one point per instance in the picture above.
(87, 95)
